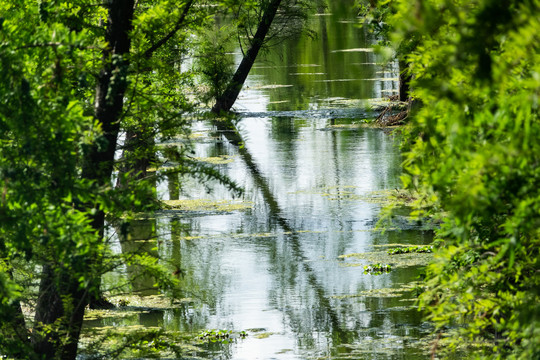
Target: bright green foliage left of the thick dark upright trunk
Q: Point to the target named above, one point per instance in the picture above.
(45, 129)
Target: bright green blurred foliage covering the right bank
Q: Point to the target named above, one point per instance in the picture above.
(473, 151)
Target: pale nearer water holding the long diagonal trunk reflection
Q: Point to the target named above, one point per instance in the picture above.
(278, 266)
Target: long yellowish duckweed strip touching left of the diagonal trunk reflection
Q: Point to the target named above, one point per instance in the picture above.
(206, 205)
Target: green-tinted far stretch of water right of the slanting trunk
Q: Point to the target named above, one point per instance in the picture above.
(332, 70)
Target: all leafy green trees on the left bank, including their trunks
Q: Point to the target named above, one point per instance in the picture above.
(77, 76)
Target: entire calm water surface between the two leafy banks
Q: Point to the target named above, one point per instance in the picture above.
(279, 270)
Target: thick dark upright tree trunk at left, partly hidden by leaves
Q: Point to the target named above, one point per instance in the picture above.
(62, 300)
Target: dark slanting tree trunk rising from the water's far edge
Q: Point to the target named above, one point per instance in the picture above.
(227, 99)
